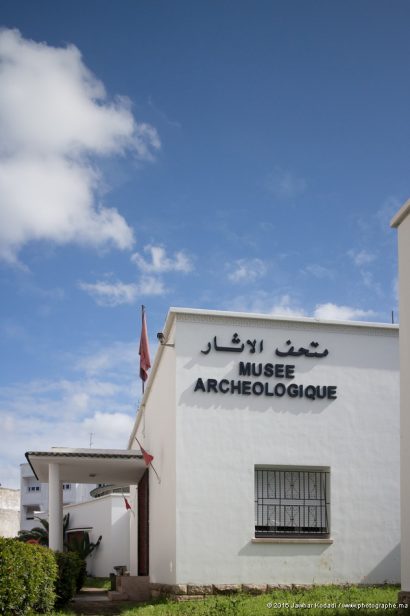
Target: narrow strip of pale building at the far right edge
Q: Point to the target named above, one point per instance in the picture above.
(402, 223)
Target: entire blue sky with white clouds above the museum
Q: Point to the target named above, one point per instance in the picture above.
(230, 155)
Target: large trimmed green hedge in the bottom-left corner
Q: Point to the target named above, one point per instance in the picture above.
(27, 577)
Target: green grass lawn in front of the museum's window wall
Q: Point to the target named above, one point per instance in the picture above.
(323, 600)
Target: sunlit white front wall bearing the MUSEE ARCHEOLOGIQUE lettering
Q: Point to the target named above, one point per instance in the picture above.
(221, 437)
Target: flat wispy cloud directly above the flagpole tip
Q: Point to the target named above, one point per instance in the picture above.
(111, 294)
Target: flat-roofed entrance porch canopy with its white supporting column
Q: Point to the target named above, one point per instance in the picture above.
(120, 467)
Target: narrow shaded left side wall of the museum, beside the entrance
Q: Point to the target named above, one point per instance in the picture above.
(156, 432)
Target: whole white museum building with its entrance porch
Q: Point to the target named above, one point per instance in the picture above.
(276, 455)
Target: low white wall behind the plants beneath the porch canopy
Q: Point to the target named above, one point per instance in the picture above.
(108, 517)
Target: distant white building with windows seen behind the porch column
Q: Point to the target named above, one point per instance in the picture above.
(34, 496)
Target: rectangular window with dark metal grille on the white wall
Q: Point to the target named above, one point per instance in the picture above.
(291, 502)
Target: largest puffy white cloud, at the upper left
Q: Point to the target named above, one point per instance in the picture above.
(55, 116)
